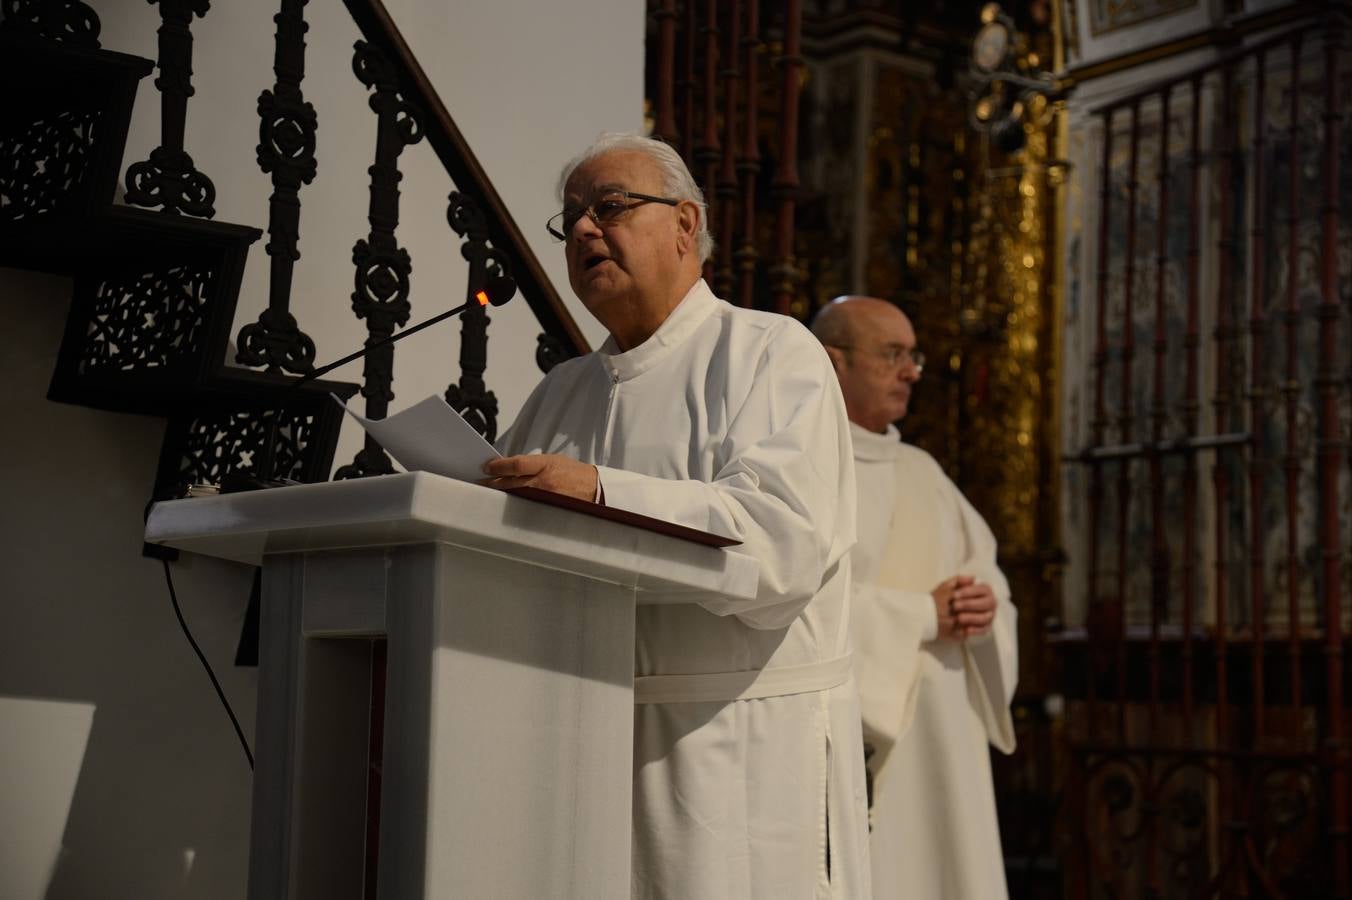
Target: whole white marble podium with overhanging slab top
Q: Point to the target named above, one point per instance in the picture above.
(509, 697)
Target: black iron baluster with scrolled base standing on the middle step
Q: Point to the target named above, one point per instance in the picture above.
(168, 179)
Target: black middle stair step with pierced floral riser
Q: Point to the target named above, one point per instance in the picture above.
(149, 328)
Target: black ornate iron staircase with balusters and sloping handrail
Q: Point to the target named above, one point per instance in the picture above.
(130, 282)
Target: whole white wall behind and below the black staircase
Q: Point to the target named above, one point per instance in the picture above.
(160, 805)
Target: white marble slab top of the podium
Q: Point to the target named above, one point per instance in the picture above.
(418, 507)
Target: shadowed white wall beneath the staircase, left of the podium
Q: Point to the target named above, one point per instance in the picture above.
(89, 622)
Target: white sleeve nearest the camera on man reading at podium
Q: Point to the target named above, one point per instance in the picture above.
(785, 486)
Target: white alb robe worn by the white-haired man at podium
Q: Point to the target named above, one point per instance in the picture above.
(732, 421)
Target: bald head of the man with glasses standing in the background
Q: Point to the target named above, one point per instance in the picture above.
(870, 343)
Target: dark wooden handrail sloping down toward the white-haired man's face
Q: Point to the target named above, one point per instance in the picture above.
(378, 28)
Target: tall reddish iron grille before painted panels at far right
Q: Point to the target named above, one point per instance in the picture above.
(1207, 763)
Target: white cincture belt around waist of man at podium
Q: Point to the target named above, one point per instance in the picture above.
(754, 684)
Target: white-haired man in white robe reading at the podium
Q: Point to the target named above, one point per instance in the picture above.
(748, 770)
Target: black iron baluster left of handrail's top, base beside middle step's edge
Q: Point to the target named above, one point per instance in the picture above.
(287, 152)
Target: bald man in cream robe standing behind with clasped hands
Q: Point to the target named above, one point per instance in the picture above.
(935, 630)
